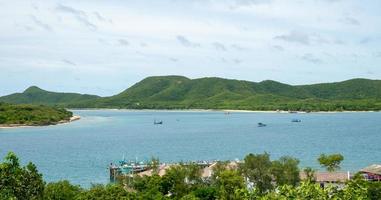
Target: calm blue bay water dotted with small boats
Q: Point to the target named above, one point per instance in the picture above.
(81, 151)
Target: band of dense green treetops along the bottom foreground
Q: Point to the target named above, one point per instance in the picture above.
(256, 178)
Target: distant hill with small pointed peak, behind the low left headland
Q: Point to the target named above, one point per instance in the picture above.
(36, 95)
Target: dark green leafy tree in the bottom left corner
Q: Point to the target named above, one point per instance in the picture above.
(18, 182)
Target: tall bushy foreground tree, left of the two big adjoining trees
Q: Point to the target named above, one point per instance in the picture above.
(257, 168)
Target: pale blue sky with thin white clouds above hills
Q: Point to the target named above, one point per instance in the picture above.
(103, 47)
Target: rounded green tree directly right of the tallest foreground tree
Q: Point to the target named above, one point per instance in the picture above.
(286, 171)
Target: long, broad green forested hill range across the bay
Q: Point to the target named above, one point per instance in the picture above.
(178, 92)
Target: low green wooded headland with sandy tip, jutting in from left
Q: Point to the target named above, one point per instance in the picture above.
(12, 115)
